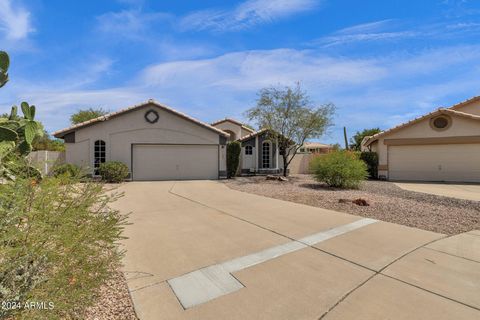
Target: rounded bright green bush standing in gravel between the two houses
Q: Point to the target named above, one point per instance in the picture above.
(340, 169)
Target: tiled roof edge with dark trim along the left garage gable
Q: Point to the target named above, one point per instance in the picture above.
(61, 133)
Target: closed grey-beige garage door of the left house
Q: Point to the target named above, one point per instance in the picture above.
(175, 162)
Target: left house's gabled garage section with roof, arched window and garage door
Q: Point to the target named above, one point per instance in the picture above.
(156, 142)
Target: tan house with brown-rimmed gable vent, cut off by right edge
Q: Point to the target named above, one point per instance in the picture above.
(443, 145)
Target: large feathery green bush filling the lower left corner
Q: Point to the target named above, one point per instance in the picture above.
(58, 244)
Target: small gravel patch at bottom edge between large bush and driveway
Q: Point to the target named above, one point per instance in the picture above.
(114, 302)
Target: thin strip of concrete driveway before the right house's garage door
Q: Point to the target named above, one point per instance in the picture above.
(460, 191)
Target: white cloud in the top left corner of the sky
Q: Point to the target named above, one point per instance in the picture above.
(15, 21)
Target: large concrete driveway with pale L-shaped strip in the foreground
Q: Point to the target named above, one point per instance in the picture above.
(199, 250)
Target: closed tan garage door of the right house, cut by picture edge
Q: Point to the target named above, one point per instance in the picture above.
(454, 162)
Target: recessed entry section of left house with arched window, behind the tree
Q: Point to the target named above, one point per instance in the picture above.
(259, 153)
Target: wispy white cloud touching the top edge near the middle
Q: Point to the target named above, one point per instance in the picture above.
(245, 15)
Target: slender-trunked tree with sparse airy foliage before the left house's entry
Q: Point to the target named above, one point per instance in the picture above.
(290, 118)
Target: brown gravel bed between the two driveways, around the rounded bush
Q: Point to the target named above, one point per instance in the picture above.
(387, 202)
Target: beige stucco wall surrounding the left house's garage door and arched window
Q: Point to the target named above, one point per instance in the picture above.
(120, 132)
